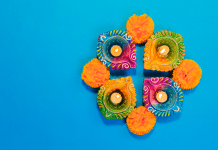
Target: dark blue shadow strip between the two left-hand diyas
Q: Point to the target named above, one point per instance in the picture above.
(128, 72)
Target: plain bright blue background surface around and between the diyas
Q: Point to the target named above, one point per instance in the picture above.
(45, 105)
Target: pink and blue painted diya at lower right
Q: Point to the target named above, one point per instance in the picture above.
(162, 96)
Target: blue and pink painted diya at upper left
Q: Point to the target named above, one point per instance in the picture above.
(117, 50)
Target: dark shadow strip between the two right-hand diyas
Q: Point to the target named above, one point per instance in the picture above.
(151, 73)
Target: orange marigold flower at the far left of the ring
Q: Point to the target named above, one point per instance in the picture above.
(95, 73)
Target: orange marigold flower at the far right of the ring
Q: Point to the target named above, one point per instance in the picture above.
(187, 74)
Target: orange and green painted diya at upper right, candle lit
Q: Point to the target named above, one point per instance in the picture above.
(164, 51)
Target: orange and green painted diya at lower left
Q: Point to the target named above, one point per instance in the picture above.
(117, 98)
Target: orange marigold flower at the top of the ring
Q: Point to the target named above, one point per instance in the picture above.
(140, 28)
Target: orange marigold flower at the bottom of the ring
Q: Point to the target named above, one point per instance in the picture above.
(140, 121)
